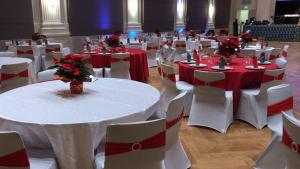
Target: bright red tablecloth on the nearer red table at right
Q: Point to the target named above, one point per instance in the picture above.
(236, 79)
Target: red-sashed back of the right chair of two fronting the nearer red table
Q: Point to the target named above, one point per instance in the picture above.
(271, 78)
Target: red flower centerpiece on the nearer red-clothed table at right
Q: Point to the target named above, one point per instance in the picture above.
(227, 49)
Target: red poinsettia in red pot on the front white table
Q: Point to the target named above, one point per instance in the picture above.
(74, 69)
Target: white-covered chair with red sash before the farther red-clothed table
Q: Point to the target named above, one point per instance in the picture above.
(120, 64)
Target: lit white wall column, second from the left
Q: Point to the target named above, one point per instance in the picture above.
(134, 16)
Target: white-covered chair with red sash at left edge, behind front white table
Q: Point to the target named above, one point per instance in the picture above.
(14, 76)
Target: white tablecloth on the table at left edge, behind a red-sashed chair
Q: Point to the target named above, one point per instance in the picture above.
(15, 60)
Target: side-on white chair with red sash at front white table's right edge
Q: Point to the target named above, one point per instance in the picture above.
(176, 157)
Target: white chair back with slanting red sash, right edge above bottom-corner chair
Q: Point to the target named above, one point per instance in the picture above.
(280, 99)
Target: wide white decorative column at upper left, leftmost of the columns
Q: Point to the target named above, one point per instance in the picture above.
(50, 17)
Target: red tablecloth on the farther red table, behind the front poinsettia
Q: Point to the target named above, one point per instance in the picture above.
(138, 63)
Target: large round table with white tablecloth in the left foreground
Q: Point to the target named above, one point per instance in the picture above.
(46, 115)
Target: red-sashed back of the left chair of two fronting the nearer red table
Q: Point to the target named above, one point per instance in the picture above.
(209, 84)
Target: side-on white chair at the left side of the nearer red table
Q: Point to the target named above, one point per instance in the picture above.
(171, 87)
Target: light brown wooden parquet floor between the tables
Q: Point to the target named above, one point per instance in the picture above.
(242, 144)
